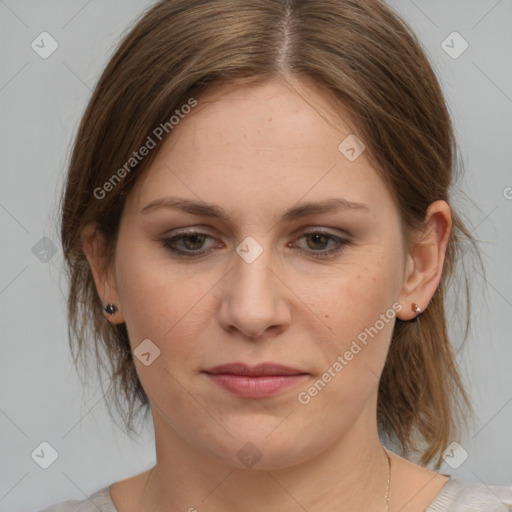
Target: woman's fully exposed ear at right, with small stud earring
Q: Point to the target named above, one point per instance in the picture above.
(424, 265)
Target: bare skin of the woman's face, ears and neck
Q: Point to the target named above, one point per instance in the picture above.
(257, 151)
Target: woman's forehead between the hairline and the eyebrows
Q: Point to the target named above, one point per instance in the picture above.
(269, 141)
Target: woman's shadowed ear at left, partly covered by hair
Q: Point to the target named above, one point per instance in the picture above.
(93, 244)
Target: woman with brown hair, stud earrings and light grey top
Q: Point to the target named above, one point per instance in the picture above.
(259, 237)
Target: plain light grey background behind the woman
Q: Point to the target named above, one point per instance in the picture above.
(41, 100)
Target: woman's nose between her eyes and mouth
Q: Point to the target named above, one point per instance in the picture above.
(254, 298)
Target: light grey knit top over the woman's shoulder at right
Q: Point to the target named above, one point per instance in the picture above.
(460, 496)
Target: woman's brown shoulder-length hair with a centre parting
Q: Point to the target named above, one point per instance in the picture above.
(359, 52)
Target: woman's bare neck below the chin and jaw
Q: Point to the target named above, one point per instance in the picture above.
(351, 475)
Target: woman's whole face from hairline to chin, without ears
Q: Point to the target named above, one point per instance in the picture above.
(315, 291)
